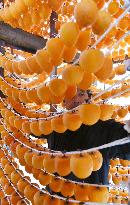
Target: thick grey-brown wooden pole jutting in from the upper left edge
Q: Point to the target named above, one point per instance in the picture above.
(20, 39)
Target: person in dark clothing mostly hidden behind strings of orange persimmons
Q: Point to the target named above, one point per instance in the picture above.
(86, 137)
